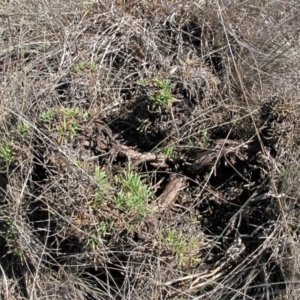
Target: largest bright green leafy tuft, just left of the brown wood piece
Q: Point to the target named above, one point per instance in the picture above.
(134, 194)
